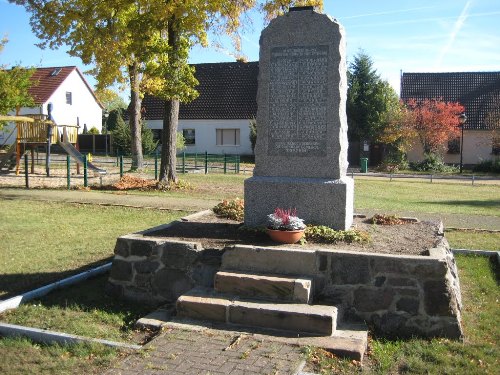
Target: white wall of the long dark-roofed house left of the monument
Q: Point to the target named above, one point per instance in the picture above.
(206, 136)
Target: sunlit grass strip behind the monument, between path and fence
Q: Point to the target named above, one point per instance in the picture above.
(371, 193)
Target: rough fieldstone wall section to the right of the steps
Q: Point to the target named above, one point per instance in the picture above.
(396, 295)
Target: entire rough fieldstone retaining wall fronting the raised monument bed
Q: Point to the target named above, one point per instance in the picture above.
(395, 295)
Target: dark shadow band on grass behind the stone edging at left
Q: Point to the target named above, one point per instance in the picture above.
(18, 283)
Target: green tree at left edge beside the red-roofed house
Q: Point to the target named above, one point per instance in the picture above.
(14, 86)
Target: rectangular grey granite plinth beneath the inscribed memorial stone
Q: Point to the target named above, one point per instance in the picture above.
(318, 201)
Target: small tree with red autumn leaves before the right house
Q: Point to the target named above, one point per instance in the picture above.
(435, 122)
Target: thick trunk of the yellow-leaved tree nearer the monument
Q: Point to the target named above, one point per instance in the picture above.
(168, 142)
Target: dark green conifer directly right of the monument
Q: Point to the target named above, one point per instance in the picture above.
(369, 98)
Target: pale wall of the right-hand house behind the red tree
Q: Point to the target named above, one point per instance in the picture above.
(477, 147)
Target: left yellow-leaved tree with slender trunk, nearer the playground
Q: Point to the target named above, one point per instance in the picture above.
(114, 36)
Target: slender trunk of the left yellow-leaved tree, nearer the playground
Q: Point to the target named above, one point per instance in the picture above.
(135, 118)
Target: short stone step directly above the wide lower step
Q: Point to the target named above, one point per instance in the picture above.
(264, 286)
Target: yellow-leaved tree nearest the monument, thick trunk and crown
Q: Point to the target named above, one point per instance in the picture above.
(183, 23)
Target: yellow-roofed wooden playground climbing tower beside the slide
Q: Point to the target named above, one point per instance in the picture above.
(34, 131)
